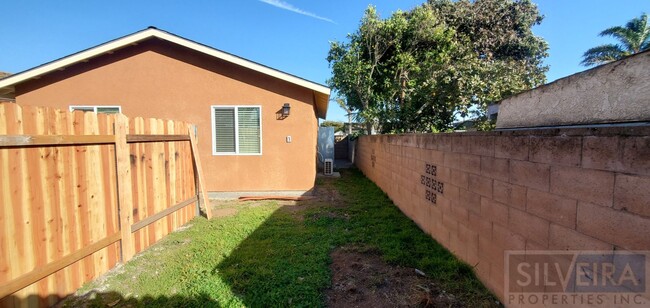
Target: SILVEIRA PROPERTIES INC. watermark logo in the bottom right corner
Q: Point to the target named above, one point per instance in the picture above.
(576, 278)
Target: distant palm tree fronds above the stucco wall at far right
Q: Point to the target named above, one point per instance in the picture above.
(633, 38)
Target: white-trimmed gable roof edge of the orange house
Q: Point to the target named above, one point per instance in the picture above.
(7, 85)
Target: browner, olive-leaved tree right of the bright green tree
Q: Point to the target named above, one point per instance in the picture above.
(506, 57)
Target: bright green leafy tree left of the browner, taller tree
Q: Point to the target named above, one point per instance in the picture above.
(386, 63)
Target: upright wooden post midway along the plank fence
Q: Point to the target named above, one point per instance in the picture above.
(124, 188)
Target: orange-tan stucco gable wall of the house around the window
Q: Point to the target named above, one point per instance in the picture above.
(157, 79)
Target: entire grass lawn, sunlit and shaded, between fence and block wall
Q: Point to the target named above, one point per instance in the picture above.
(270, 254)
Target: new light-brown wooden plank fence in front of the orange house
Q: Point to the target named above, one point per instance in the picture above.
(80, 192)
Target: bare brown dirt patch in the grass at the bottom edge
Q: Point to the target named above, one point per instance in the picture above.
(360, 278)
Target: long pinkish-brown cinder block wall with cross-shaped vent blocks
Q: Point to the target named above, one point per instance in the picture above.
(479, 194)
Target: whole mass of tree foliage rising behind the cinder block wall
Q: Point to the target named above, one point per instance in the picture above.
(417, 70)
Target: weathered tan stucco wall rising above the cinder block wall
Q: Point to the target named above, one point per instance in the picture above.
(612, 93)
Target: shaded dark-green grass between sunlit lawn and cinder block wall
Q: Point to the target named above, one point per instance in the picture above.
(285, 261)
